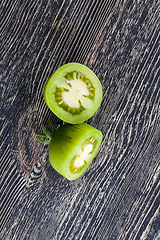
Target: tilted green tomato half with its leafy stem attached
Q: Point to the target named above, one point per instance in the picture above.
(72, 148)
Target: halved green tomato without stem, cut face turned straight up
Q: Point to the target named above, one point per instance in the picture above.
(73, 93)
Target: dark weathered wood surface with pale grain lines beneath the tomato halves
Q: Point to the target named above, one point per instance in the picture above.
(119, 195)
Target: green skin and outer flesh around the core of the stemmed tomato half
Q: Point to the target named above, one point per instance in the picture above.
(66, 142)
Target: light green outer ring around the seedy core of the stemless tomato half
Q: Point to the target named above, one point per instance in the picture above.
(57, 79)
